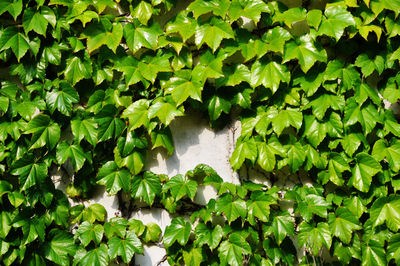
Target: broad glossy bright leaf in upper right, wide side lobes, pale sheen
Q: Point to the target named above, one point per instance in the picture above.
(305, 51)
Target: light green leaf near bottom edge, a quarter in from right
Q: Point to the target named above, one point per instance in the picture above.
(314, 237)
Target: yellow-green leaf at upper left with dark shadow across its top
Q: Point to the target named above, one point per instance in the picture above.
(103, 33)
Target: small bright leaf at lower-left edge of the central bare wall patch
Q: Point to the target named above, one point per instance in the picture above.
(181, 186)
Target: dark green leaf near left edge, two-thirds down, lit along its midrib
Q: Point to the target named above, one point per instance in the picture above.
(30, 172)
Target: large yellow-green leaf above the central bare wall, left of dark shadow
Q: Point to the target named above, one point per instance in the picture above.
(182, 86)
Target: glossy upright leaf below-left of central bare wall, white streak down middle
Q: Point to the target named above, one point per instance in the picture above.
(146, 187)
